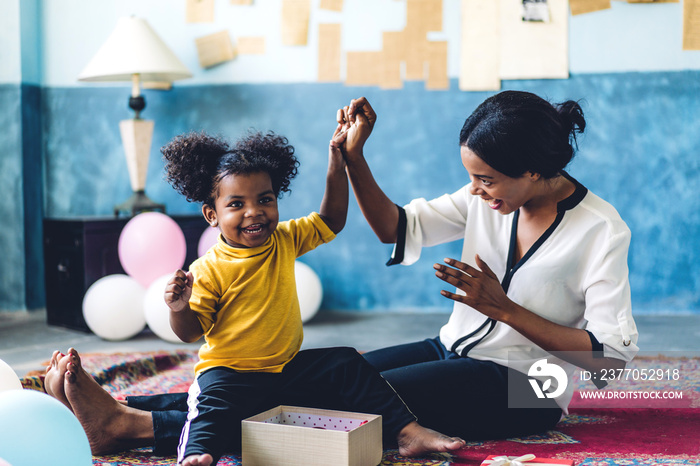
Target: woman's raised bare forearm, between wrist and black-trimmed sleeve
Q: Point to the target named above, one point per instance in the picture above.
(379, 211)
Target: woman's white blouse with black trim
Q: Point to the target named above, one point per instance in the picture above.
(577, 277)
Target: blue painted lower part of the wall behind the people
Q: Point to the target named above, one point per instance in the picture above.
(640, 152)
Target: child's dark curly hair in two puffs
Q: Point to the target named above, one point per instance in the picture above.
(195, 163)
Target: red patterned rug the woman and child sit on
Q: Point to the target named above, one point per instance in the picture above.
(591, 435)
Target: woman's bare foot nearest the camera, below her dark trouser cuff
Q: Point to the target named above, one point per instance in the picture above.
(110, 426)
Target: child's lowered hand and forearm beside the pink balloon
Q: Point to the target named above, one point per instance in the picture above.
(183, 320)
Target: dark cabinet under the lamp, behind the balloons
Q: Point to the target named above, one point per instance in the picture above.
(78, 252)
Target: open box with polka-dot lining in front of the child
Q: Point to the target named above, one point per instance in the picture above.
(291, 436)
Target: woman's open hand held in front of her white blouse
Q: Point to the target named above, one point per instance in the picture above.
(482, 290)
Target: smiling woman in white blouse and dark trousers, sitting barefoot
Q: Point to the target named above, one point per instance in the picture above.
(543, 269)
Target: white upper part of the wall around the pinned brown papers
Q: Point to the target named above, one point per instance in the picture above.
(627, 37)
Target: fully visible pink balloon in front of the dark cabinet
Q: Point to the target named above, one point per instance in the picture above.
(151, 245)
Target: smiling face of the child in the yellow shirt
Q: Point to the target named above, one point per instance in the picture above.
(245, 210)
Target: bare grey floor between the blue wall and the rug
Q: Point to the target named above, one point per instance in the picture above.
(26, 340)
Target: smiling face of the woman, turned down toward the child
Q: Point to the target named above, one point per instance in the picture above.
(502, 193)
